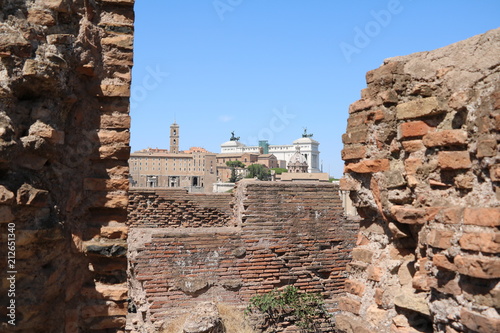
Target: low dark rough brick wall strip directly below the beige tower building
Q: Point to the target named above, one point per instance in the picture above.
(159, 208)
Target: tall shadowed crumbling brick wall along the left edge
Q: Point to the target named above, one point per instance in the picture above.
(65, 70)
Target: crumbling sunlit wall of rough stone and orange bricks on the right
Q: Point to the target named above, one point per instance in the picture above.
(422, 161)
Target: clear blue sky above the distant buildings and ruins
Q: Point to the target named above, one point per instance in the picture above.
(268, 68)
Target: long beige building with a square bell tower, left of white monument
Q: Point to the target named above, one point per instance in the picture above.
(194, 169)
